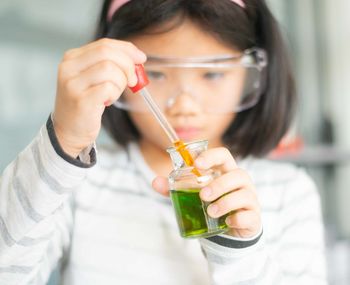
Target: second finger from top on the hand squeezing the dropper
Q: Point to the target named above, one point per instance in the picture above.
(93, 57)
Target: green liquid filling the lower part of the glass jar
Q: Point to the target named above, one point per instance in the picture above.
(192, 219)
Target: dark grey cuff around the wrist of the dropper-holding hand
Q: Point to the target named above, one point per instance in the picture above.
(86, 159)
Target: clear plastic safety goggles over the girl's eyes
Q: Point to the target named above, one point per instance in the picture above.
(219, 84)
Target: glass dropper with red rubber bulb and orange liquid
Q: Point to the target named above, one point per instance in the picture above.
(140, 87)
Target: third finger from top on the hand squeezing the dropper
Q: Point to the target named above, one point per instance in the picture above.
(105, 71)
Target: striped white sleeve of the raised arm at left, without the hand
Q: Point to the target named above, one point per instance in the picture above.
(35, 213)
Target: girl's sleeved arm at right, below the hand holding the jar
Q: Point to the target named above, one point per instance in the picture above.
(294, 256)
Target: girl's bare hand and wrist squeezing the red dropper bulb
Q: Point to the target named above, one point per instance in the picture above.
(89, 79)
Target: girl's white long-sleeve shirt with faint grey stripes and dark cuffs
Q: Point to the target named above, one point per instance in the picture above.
(106, 225)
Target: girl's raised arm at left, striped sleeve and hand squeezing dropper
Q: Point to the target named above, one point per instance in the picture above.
(34, 213)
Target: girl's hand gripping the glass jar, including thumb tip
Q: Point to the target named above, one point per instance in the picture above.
(232, 193)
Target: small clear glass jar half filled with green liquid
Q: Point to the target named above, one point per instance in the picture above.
(191, 212)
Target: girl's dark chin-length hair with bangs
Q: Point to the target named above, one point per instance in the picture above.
(253, 132)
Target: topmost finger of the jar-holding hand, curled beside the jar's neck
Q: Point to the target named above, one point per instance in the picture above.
(220, 157)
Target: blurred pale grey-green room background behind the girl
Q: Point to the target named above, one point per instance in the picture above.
(34, 35)
